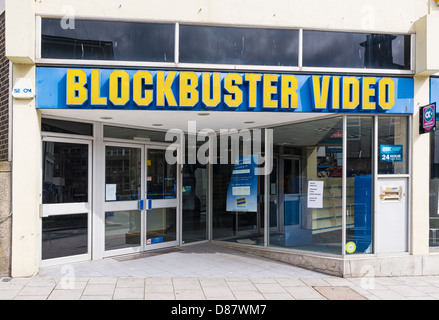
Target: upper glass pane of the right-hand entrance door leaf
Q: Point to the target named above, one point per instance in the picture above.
(161, 176)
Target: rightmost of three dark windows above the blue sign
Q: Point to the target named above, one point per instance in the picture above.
(356, 50)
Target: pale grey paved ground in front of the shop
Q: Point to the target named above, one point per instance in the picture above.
(206, 272)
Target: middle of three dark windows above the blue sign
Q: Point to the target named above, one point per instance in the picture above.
(231, 45)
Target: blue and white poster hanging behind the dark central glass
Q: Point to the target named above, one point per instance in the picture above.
(242, 193)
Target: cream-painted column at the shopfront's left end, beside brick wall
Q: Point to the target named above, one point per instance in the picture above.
(26, 183)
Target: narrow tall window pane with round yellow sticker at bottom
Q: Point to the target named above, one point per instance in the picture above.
(359, 185)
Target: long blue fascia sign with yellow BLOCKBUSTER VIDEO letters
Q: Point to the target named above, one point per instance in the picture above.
(130, 89)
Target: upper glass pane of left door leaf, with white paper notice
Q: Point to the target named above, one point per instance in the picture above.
(122, 173)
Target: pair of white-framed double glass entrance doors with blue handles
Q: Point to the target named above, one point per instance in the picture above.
(141, 198)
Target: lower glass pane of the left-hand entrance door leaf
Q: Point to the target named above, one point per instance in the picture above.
(122, 229)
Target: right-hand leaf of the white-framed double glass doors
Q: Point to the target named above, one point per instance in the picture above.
(162, 185)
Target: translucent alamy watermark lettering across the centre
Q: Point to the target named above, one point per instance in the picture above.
(230, 142)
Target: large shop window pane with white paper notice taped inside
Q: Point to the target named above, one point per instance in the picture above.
(306, 186)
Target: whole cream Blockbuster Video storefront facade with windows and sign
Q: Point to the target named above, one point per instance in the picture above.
(286, 138)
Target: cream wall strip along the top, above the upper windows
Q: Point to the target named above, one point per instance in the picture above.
(389, 15)
